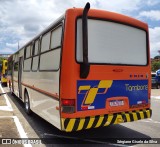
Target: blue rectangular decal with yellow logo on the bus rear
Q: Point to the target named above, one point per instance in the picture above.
(92, 94)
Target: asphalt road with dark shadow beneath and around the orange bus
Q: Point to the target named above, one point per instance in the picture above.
(35, 127)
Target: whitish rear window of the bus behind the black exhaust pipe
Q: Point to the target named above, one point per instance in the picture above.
(112, 43)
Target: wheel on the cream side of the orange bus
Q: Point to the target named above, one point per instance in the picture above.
(27, 103)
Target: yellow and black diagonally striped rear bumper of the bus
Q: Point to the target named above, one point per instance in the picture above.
(76, 124)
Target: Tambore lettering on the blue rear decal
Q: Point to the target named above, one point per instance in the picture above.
(136, 87)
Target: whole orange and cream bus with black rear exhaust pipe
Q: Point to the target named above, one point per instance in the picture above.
(88, 69)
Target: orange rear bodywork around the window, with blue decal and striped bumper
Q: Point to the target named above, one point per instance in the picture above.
(128, 88)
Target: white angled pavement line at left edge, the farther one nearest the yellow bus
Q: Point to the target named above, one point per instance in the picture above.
(9, 106)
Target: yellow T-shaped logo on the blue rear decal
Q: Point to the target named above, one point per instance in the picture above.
(90, 93)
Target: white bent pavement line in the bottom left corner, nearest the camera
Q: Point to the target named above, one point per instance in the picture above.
(19, 128)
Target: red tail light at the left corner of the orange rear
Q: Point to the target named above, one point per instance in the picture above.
(68, 105)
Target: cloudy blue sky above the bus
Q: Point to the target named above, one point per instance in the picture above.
(21, 20)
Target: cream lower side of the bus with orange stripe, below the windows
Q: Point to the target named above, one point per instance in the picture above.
(43, 90)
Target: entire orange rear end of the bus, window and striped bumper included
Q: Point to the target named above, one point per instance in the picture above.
(105, 70)
